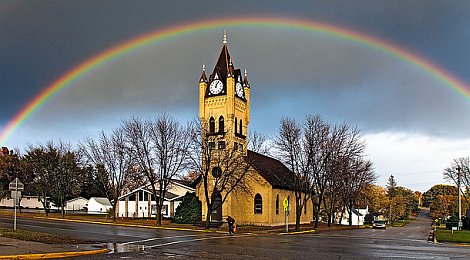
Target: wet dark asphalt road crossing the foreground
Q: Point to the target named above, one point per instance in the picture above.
(409, 242)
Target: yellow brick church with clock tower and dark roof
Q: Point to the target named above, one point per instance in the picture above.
(224, 99)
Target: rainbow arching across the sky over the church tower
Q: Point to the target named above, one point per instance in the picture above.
(127, 47)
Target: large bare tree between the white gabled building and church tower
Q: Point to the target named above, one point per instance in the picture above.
(161, 150)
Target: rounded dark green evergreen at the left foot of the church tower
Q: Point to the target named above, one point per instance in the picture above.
(189, 211)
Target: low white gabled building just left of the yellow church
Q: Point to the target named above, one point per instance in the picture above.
(140, 203)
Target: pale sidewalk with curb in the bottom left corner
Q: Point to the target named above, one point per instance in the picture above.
(13, 247)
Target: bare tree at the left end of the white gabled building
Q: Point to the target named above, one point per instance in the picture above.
(112, 162)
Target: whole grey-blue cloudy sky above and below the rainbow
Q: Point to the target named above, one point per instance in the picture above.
(414, 124)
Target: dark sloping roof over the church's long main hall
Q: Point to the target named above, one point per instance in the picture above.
(274, 171)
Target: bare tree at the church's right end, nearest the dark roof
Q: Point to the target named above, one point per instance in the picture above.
(291, 145)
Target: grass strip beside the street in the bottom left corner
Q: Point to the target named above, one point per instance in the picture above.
(38, 237)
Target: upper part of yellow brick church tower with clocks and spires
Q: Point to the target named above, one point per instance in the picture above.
(224, 102)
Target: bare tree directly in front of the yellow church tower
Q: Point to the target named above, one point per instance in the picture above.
(222, 168)
